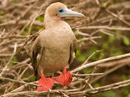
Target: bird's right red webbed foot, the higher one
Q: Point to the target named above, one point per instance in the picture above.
(65, 78)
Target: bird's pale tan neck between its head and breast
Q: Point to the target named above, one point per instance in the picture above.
(51, 21)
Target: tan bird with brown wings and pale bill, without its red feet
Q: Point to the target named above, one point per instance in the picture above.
(55, 46)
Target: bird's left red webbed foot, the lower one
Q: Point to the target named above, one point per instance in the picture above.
(46, 83)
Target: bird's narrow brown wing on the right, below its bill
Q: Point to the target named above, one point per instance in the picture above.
(72, 50)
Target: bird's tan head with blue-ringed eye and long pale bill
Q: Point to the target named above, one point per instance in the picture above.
(60, 10)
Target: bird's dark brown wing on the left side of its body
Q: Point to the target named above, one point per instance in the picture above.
(36, 49)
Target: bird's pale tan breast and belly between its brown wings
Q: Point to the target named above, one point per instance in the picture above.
(56, 43)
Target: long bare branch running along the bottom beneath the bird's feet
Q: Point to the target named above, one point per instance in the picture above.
(89, 91)
